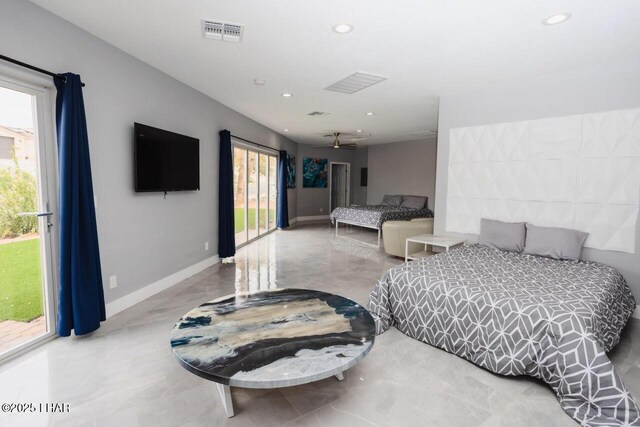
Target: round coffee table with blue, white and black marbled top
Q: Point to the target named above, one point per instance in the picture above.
(271, 339)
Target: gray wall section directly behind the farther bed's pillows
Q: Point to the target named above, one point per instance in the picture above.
(402, 168)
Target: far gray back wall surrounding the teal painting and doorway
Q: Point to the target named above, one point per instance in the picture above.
(315, 201)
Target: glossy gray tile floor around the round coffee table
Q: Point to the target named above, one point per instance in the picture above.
(125, 375)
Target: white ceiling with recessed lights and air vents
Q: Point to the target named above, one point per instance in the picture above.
(424, 48)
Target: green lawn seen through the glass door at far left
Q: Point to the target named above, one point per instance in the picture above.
(20, 281)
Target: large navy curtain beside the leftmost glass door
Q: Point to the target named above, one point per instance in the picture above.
(81, 296)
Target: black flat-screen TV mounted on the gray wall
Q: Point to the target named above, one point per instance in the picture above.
(165, 161)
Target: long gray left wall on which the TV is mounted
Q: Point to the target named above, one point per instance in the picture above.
(143, 238)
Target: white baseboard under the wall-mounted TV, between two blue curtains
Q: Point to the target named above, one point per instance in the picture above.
(148, 291)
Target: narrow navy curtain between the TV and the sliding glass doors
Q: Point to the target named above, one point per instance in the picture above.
(226, 230)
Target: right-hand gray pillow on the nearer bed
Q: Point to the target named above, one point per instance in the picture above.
(554, 242)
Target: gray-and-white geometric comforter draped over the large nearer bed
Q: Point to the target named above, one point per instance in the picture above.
(516, 314)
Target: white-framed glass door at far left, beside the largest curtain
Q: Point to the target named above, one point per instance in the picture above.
(26, 311)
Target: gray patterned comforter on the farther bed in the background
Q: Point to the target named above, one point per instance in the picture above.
(374, 215)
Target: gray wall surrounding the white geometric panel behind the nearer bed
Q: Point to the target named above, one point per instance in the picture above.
(596, 89)
